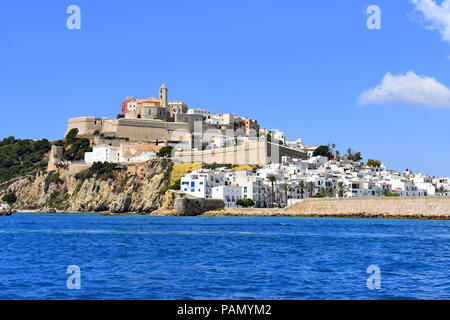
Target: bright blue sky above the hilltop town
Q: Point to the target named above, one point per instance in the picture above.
(298, 66)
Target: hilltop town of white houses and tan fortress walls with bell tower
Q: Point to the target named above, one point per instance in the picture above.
(238, 161)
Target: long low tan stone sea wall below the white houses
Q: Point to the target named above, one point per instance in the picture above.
(401, 206)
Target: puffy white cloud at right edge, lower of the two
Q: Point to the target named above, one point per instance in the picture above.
(410, 89)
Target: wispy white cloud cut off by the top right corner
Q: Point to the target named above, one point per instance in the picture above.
(438, 16)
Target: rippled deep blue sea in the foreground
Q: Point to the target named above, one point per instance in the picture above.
(142, 257)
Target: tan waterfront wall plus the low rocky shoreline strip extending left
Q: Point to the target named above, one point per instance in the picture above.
(386, 208)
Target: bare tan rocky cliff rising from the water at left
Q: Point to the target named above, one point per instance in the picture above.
(118, 189)
